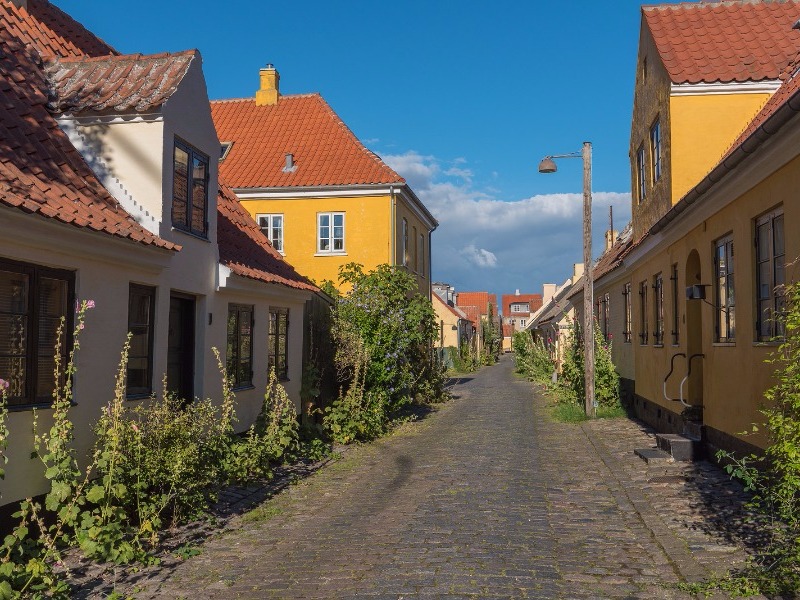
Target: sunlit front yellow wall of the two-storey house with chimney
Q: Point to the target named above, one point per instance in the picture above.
(366, 238)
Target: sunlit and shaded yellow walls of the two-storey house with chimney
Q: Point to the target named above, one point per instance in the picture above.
(368, 222)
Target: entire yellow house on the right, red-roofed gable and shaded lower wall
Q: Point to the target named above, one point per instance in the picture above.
(711, 173)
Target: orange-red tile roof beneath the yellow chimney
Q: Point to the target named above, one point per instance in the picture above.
(325, 151)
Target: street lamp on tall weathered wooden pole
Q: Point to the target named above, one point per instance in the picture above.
(548, 165)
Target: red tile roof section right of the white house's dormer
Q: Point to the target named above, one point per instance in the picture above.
(245, 250)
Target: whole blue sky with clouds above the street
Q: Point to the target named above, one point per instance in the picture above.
(462, 98)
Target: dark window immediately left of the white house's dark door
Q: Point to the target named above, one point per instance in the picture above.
(141, 310)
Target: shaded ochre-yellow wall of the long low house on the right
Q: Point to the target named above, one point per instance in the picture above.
(731, 394)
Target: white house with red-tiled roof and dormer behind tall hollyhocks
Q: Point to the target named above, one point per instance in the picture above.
(109, 191)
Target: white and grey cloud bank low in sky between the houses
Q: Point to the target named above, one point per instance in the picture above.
(486, 243)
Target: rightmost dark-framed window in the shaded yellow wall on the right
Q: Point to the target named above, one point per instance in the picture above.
(770, 276)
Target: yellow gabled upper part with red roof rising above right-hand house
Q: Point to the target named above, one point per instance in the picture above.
(703, 72)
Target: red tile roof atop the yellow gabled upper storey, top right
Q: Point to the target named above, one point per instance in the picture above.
(724, 41)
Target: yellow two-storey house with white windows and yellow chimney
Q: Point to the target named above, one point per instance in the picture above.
(320, 196)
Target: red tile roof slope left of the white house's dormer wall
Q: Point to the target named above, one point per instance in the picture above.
(40, 170)
